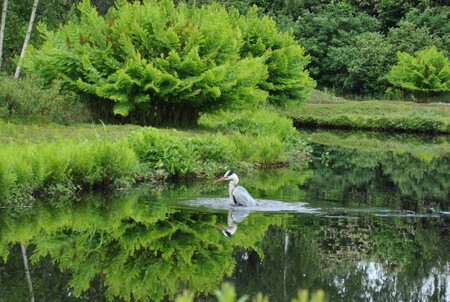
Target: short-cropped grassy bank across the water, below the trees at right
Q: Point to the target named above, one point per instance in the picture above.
(327, 111)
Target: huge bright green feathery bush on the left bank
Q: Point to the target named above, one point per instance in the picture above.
(157, 63)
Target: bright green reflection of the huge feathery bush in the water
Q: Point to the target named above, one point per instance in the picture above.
(133, 247)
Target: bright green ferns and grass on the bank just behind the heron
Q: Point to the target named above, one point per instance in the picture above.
(51, 161)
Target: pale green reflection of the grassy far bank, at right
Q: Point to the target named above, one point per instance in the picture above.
(424, 148)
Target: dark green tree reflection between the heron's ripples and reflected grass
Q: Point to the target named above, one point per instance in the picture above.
(401, 180)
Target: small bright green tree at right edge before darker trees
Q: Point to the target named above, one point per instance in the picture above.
(428, 72)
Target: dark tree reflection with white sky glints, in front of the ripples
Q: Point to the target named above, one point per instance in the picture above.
(352, 259)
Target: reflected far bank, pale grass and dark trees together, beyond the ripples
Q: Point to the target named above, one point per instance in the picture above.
(382, 170)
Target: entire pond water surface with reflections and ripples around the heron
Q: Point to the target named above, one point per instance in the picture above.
(367, 220)
